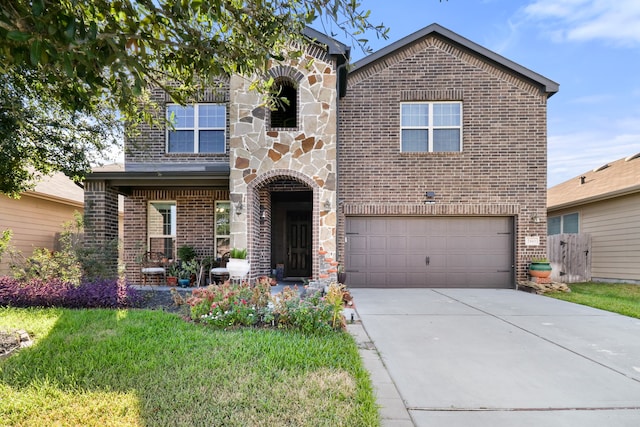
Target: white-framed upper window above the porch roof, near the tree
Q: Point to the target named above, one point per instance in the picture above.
(198, 128)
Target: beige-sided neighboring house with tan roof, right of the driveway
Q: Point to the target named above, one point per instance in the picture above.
(605, 204)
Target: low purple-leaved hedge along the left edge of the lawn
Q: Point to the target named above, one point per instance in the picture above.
(58, 293)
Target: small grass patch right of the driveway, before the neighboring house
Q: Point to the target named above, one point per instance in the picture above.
(615, 297)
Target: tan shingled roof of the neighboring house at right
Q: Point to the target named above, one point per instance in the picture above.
(610, 180)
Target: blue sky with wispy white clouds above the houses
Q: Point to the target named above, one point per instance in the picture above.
(590, 47)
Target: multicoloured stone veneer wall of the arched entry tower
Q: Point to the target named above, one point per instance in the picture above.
(260, 155)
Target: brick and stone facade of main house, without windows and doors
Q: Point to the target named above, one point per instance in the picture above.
(350, 160)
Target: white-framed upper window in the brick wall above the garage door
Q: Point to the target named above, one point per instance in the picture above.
(431, 126)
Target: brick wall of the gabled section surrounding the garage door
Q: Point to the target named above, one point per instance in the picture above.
(500, 171)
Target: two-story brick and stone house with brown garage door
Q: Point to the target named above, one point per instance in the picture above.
(423, 164)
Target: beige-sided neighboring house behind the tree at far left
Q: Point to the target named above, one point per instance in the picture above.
(36, 218)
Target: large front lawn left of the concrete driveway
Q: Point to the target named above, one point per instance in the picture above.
(150, 368)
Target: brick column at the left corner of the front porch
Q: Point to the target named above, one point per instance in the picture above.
(101, 225)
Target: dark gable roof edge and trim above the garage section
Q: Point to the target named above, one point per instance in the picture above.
(548, 86)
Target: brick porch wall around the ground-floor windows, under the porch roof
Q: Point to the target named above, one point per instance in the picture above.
(195, 216)
